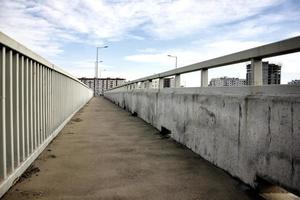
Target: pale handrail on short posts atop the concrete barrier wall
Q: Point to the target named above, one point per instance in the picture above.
(255, 55)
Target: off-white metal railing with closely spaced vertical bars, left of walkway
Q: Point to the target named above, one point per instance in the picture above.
(36, 100)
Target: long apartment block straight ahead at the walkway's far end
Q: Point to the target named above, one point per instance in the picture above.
(102, 84)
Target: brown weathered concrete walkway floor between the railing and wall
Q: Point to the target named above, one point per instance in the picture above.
(105, 153)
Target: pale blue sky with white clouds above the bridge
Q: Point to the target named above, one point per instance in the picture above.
(141, 33)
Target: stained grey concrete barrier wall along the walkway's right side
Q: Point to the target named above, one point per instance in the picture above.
(249, 132)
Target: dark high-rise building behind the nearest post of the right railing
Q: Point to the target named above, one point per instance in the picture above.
(271, 74)
